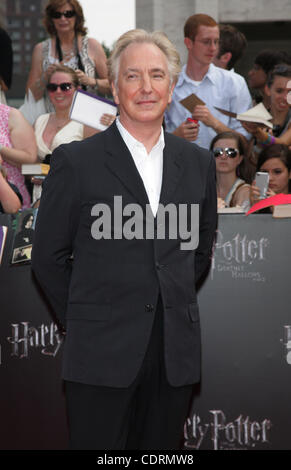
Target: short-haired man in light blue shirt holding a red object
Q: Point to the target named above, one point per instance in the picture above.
(214, 86)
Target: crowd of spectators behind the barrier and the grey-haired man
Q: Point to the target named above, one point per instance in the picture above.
(69, 60)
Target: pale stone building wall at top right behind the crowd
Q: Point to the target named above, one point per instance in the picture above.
(265, 23)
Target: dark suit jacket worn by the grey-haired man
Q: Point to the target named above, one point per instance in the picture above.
(107, 297)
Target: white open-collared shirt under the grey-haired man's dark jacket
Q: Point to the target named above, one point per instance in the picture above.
(149, 165)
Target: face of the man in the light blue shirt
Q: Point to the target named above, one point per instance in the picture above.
(204, 47)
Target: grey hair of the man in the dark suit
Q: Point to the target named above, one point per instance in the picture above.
(140, 36)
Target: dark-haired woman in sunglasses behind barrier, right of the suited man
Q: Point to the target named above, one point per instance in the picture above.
(232, 190)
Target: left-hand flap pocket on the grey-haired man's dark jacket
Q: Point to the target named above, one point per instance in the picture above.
(89, 312)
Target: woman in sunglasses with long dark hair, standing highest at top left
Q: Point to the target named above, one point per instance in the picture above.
(69, 45)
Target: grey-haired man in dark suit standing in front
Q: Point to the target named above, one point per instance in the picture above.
(128, 300)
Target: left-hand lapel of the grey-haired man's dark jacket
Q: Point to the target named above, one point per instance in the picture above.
(121, 163)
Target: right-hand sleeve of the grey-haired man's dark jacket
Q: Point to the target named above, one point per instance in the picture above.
(207, 223)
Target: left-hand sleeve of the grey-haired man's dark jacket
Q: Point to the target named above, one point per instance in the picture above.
(56, 226)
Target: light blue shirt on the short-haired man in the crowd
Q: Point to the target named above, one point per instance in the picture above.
(219, 87)
